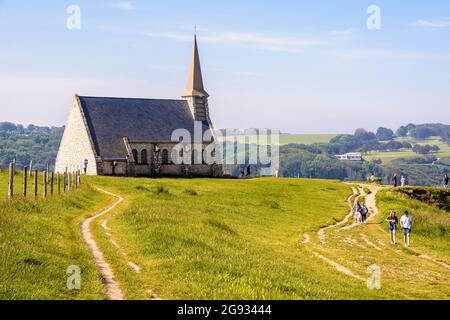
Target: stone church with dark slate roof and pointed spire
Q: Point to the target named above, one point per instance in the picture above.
(133, 137)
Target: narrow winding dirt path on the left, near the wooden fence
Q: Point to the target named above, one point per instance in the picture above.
(113, 291)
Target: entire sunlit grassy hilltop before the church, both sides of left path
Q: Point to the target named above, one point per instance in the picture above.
(207, 239)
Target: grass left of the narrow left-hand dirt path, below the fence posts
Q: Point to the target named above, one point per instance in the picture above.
(40, 240)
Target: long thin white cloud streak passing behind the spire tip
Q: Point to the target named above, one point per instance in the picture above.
(263, 42)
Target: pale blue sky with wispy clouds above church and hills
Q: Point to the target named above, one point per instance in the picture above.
(321, 66)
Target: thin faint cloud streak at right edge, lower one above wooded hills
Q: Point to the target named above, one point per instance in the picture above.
(380, 55)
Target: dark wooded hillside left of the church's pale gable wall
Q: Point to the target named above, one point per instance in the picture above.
(23, 144)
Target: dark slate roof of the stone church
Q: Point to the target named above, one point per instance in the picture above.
(111, 119)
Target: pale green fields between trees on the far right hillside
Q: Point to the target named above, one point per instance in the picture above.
(387, 157)
